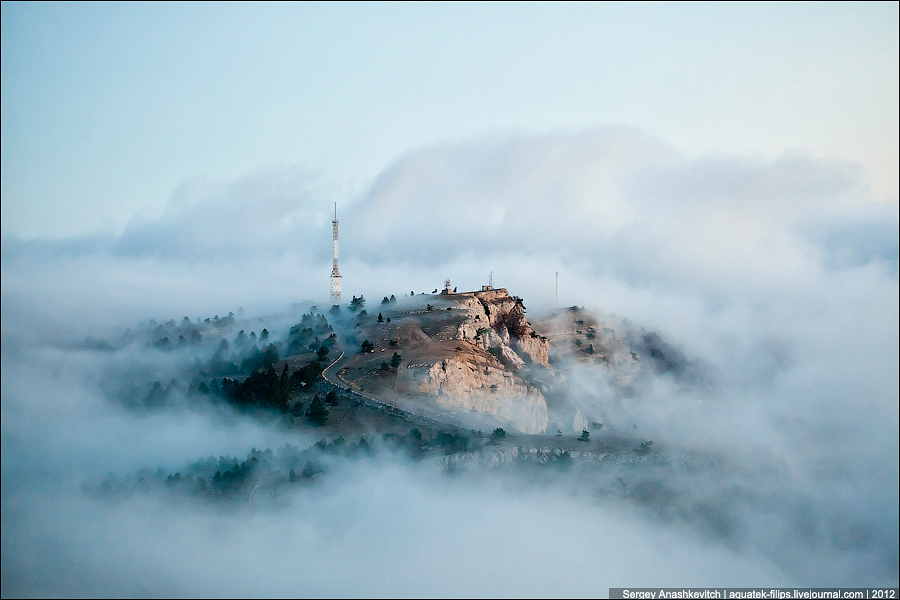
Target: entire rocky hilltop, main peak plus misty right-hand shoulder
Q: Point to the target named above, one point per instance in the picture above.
(474, 359)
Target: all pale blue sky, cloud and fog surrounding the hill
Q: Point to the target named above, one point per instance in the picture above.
(724, 175)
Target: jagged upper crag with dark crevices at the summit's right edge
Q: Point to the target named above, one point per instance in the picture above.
(497, 320)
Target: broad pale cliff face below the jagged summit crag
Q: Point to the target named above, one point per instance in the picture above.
(476, 382)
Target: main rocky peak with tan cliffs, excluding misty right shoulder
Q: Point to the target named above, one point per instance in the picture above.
(461, 354)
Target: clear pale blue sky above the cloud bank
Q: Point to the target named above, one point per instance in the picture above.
(107, 108)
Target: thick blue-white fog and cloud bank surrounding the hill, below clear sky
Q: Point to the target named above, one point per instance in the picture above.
(779, 278)
